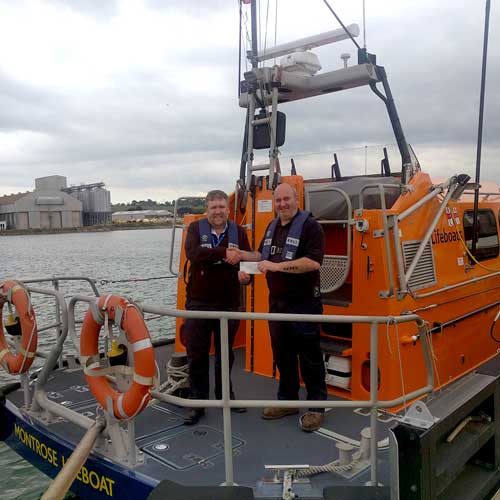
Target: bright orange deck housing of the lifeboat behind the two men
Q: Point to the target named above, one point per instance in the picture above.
(459, 307)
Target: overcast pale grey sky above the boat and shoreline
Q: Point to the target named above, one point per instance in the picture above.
(142, 94)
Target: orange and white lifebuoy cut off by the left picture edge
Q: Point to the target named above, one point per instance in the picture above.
(17, 295)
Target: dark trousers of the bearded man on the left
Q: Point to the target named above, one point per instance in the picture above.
(198, 336)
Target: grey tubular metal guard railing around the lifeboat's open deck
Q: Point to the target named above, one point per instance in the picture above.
(67, 325)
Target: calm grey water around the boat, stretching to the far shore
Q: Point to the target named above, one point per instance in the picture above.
(115, 255)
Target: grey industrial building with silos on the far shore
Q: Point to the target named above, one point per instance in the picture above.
(52, 205)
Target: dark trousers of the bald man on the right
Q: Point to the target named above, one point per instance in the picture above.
(292, 340)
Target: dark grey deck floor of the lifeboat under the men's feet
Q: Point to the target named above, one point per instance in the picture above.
(194, 455)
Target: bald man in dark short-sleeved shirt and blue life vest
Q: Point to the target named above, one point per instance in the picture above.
(290, 255)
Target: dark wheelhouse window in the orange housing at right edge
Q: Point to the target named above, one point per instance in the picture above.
(487, 243)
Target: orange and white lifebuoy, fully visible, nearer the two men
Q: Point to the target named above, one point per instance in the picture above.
(131, 402)
